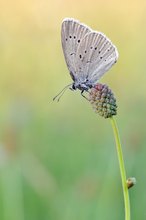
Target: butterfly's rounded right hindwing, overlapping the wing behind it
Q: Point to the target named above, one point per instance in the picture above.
(95, 55)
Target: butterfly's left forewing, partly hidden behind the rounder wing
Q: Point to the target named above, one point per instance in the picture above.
(72, 33)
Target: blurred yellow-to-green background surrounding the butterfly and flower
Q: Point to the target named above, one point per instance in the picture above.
(58, 160)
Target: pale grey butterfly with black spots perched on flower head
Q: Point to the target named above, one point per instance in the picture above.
(88, 54)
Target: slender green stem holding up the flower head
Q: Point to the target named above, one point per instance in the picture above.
(122, 169)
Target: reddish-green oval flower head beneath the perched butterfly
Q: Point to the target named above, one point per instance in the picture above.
(103, 101)
